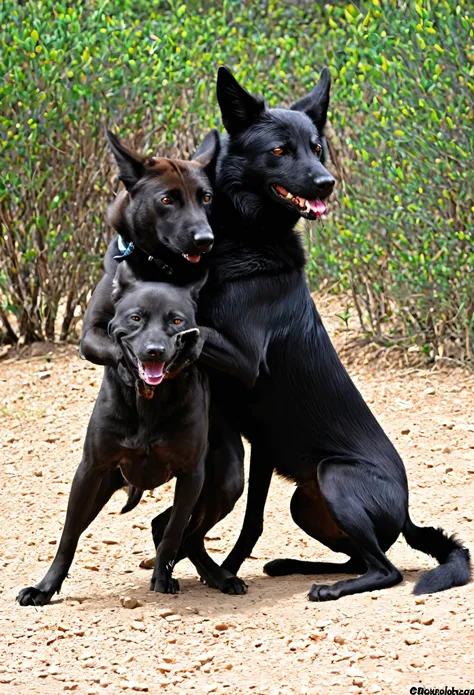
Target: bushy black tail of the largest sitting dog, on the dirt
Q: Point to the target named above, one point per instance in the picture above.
(453, 558)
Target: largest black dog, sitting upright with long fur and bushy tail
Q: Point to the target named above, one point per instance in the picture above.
(304, 417)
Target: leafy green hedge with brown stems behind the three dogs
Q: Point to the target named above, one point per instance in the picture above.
(399, 238)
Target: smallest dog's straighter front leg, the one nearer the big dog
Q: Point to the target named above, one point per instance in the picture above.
(187, 491)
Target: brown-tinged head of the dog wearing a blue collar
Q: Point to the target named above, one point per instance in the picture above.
(166, 202)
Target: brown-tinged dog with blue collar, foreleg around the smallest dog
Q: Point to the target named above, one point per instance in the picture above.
(162, 219)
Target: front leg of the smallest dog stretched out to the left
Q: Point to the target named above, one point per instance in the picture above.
(91, 488)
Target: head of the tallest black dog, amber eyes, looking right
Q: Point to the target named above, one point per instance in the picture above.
(275, 155)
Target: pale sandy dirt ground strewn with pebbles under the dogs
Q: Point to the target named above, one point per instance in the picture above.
(271, 641)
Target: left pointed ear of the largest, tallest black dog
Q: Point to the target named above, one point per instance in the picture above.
(239, 108)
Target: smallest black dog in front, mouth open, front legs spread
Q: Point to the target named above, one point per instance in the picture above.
(146, 438)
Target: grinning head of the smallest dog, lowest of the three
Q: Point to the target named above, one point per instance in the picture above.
(152, 322)
